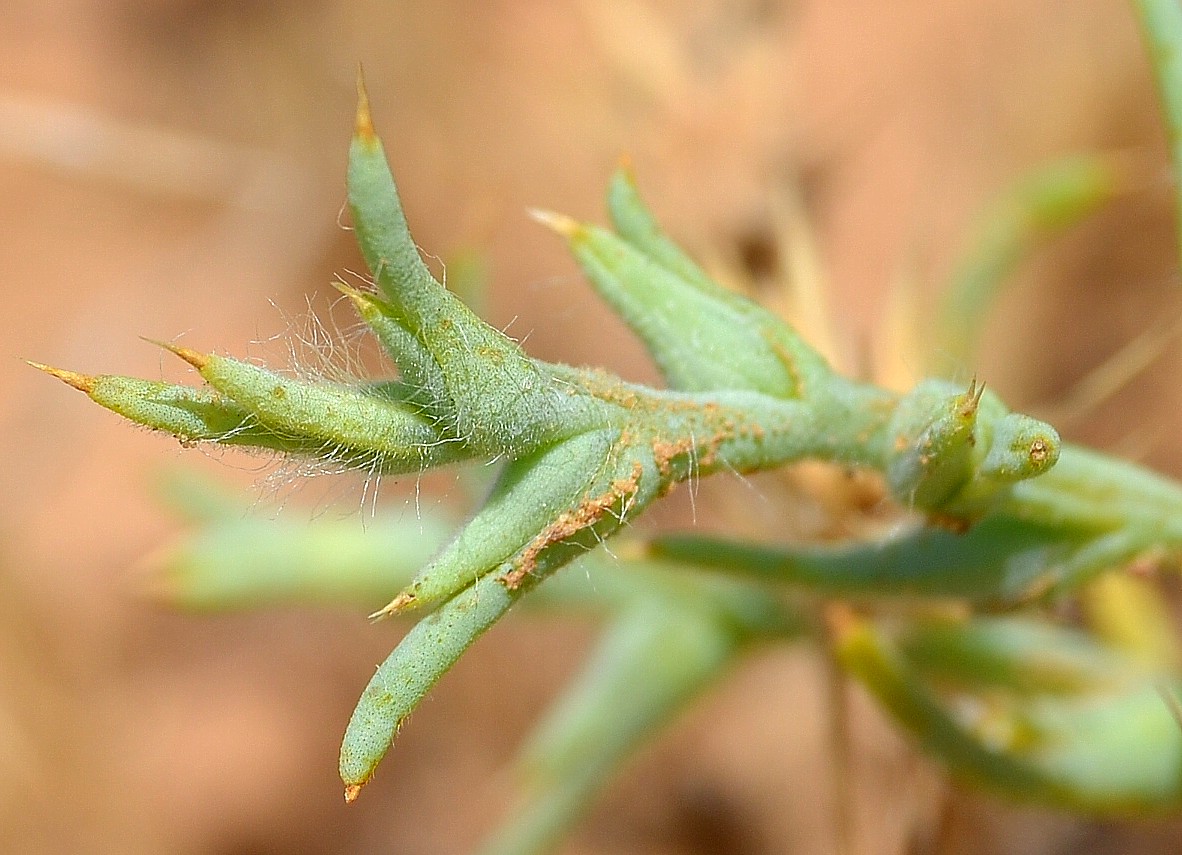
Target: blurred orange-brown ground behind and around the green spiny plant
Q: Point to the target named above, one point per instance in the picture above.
(176, 170)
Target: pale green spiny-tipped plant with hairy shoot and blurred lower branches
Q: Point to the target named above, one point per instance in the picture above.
(997, 511)
